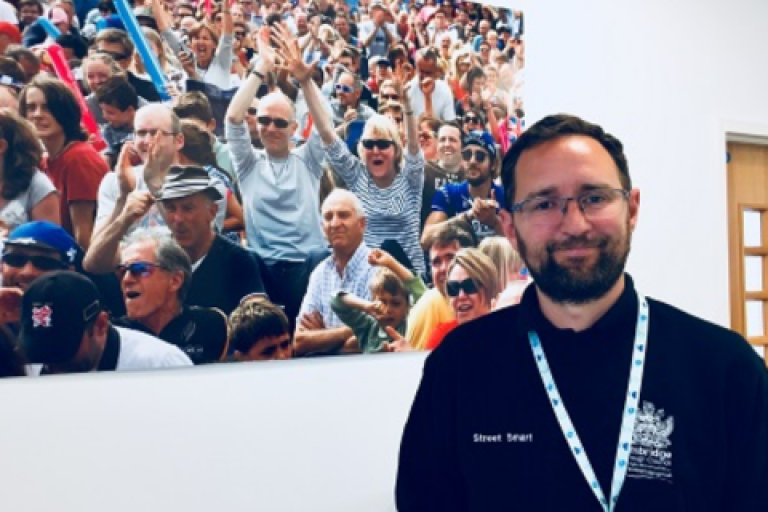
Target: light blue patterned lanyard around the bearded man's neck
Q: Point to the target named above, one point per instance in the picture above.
(630, 410)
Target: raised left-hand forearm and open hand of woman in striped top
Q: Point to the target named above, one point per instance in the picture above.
(290, 55)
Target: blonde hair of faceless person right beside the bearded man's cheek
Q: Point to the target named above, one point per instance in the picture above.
(509, 266)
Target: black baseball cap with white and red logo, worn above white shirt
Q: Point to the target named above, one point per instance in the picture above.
(55, 310)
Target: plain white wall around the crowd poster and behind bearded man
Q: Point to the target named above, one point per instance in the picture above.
(322, 435)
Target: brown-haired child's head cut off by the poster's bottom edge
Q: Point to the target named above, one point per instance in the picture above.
(260, 331)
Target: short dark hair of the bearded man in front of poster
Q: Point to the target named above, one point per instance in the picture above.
(554, 127)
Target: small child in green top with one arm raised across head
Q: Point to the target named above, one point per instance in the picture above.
(394, 289)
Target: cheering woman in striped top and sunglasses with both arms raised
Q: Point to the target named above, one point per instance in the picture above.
(387, 177)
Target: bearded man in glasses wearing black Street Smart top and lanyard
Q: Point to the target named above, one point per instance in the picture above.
(608, 387)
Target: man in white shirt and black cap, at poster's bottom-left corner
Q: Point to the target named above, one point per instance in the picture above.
(65, 330)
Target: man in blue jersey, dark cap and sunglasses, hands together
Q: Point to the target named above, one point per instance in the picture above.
(475, 200)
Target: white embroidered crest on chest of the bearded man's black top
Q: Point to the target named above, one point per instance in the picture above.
(651, 456)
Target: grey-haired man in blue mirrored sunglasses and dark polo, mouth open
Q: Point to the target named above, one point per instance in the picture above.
(155, 275)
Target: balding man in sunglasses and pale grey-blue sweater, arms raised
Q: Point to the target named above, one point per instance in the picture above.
(280, 184)
